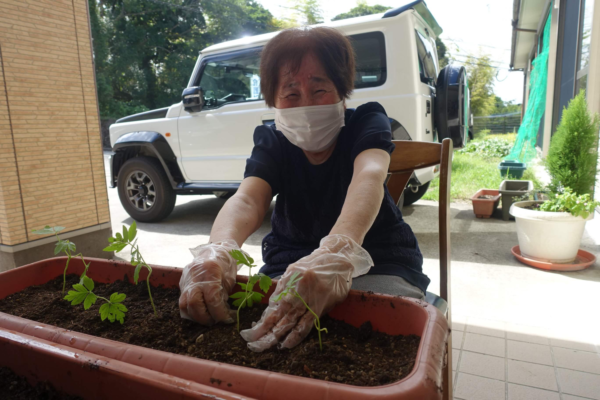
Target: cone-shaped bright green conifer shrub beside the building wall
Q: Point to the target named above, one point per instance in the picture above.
(573, 152)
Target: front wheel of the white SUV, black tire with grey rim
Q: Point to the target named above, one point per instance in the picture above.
(153, 199)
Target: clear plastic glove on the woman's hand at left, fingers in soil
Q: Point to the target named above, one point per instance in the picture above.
(206, 283)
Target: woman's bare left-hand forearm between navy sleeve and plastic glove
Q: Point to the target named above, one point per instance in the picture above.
(244, 212)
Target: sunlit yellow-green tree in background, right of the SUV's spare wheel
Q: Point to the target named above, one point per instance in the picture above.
(481, 75)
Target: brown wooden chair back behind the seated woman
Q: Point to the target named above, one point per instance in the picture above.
(409, 156)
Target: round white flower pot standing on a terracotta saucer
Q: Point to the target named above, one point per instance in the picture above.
(553, 237)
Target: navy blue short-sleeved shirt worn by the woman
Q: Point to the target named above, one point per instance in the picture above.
(310, 198)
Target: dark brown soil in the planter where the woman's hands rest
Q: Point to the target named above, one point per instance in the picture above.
(361, 357)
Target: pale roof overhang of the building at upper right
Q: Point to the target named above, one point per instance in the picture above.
(527, 16)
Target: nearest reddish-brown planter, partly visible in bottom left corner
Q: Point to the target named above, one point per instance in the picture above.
(91, 376)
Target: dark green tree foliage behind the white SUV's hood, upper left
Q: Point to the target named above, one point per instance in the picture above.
(145, 50)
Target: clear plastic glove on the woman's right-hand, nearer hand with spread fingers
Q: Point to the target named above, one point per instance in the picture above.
(326, 279)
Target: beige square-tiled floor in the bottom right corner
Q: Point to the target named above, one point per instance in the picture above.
(493, 360)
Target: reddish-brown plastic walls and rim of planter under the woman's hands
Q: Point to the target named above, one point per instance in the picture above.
(392, 315)
